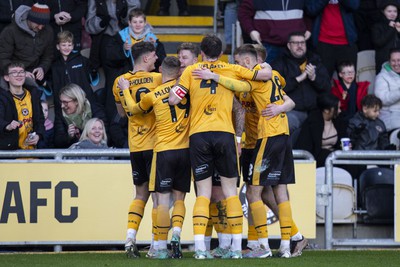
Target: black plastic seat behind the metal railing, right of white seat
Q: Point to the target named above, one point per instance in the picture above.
(377, 195)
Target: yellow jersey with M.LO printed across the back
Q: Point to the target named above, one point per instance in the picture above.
(172, 122)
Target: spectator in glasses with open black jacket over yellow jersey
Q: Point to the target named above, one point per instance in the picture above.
(21, 116)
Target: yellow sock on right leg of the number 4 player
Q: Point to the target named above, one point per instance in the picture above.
(234, 214)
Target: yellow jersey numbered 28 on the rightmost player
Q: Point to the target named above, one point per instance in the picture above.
(264, 93)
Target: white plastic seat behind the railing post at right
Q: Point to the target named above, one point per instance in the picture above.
(344, 198)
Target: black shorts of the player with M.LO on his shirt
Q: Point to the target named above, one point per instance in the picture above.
(171, 171)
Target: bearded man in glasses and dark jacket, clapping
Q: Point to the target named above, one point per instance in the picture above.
(306, 78)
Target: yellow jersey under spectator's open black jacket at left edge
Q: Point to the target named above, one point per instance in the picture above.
(25, 117)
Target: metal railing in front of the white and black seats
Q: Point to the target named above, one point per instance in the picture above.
(355, 158)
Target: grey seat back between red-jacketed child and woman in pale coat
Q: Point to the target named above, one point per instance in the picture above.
(366, 68)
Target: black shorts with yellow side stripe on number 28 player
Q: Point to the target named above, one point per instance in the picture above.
(272, 162)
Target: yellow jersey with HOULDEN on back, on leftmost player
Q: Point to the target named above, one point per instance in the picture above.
(141, 128)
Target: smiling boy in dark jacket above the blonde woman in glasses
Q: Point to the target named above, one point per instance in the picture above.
(70, 67)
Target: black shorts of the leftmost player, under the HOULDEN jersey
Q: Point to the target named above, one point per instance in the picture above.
(141, 166)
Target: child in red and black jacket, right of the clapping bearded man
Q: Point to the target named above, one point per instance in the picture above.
(349, 92)
